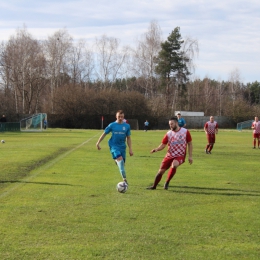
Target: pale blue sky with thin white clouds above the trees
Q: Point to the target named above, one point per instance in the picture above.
(228, 31)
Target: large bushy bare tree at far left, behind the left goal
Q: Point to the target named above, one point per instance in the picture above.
(23, 70)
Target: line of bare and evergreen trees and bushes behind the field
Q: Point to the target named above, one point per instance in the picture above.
(64, 77)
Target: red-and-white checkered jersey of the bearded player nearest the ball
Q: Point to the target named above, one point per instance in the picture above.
(177, 142)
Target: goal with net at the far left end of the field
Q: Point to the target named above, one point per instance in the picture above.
(33, 123)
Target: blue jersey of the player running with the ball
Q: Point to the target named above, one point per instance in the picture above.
(119, 134)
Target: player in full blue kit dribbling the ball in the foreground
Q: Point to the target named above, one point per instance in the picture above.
(121, 133)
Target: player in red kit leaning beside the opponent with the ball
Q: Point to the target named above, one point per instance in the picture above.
(177, 139)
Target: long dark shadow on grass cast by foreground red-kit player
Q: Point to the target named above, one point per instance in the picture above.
(213, 191)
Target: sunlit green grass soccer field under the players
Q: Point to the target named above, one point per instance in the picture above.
(58, 199)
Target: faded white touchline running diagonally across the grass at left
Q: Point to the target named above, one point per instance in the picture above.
(43, 167)
